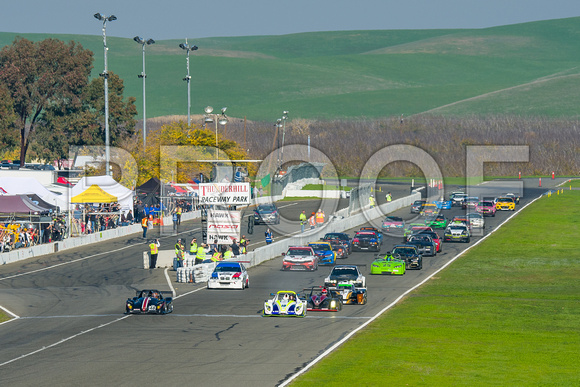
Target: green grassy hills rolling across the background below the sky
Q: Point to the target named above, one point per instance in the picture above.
(529, 69)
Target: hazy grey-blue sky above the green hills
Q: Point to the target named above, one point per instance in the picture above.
(178, 19)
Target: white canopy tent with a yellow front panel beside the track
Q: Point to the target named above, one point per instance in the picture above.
(102, 189)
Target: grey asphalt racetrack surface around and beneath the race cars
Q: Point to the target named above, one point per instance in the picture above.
(70, 314)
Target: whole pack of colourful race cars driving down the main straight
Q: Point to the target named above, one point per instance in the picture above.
(346, 284)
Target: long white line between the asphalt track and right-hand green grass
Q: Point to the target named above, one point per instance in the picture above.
(348, 336)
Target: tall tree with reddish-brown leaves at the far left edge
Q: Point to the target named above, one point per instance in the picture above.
(44, 75)
